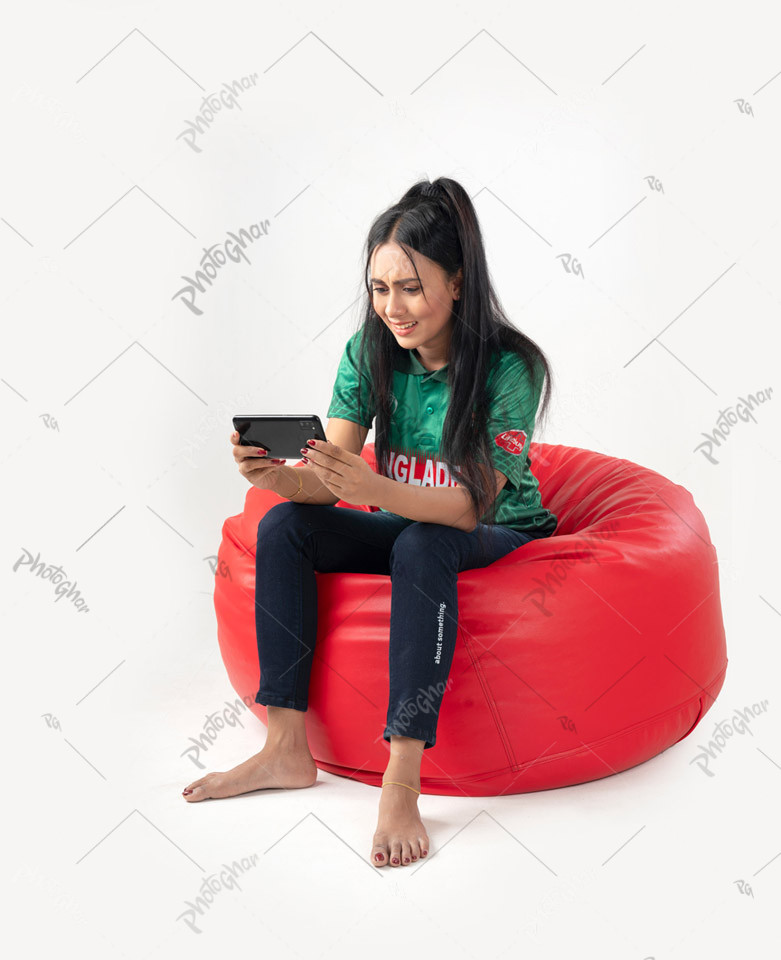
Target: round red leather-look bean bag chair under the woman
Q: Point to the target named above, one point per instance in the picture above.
(577, 657)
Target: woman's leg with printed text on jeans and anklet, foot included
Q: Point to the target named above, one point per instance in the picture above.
(425, 562)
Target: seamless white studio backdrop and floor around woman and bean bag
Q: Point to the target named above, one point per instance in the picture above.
(643, 140)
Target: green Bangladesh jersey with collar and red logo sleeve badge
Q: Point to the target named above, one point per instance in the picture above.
(419, 405)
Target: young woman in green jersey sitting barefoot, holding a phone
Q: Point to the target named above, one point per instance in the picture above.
(454, 389)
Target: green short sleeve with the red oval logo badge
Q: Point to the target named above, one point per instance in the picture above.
(511, 417)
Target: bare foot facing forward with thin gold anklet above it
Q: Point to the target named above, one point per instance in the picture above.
(400, 837)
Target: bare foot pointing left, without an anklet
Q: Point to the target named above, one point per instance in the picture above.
(274, 766)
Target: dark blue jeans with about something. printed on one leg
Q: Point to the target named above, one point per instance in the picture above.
(423, 561)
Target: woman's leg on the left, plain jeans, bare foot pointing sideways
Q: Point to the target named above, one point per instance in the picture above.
(294, 540)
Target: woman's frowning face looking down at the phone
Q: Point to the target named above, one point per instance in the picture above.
(398, 299)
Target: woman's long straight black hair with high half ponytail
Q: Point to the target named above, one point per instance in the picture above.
(438, 220)
